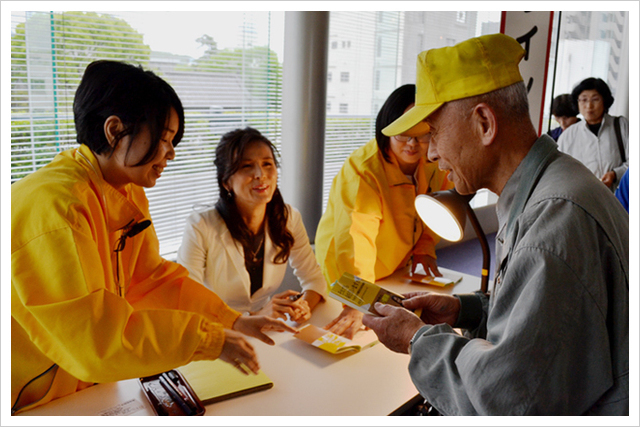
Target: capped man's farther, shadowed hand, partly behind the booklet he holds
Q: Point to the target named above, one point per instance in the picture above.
(436, 308)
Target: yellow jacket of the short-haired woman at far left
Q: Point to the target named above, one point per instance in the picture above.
(69, 326)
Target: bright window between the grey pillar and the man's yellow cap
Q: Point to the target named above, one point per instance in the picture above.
(385, 46)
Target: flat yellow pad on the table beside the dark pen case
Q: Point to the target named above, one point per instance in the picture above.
(214, 381)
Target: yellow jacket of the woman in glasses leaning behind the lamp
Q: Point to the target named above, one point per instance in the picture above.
(370, 226)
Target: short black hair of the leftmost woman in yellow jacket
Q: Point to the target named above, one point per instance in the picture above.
(139, 98)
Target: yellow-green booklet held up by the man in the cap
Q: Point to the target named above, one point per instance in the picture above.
(362, 295)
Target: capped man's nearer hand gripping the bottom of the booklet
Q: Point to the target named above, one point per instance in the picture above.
(395, 327)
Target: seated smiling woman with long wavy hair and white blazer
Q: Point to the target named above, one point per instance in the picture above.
(240, 248)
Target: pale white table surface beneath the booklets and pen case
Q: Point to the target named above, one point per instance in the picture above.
(307, 380)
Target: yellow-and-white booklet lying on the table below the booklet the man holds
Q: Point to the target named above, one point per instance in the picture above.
(335, 344)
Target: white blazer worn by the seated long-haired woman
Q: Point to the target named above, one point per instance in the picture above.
(216, 260)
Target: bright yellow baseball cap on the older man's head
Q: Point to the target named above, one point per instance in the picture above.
(472, 67)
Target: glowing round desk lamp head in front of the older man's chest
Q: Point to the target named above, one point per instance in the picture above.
(444, 212)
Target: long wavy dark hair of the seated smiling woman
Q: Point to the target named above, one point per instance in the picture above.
(229, 155)
